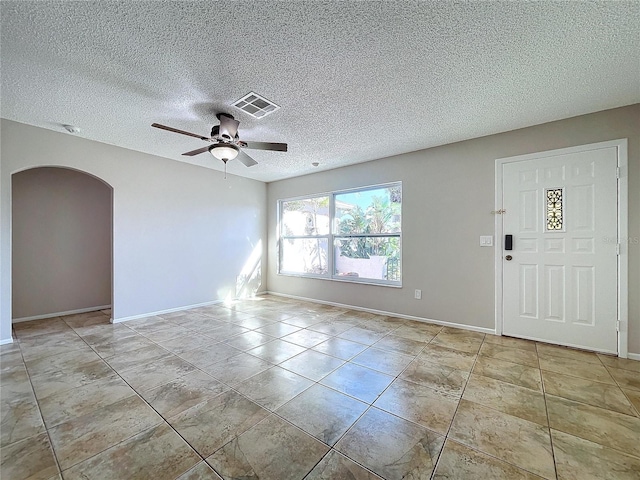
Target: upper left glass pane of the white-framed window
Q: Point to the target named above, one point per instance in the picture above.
(309, 216)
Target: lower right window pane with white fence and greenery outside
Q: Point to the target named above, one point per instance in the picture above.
(376, 258)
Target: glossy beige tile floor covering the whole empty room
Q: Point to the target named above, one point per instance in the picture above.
(273, 388)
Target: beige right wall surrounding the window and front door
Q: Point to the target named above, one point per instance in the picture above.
(448, 194)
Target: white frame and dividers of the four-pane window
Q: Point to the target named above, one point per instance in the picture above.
(333, 235)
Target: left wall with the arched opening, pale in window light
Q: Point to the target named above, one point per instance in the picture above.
(182, 234)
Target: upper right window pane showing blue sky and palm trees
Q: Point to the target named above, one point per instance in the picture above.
(369, 211)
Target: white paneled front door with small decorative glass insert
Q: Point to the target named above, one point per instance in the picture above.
(560, 278)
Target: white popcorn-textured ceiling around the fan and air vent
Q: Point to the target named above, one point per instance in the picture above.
(355, 81)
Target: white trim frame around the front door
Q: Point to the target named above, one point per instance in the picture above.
(623, 231)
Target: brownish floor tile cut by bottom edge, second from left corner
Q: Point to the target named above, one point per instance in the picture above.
(155, 453)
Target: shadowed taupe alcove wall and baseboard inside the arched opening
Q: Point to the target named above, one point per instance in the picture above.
(61, 243)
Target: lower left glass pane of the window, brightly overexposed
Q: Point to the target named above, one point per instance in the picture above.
(305, 255)
